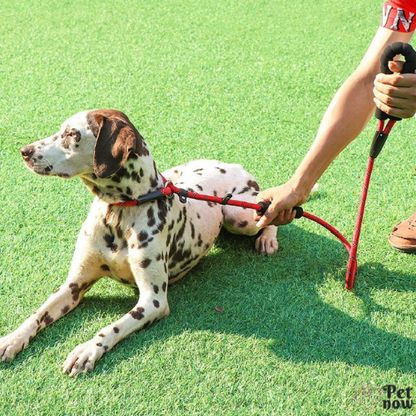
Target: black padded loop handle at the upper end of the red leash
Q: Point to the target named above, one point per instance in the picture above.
(409, 67)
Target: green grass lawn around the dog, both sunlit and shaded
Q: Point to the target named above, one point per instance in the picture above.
(242, 81)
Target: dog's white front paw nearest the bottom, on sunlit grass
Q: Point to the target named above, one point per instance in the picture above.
(83, 358)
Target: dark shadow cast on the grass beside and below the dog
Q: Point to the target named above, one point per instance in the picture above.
(275, 298)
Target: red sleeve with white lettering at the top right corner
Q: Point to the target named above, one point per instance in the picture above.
(399, 15)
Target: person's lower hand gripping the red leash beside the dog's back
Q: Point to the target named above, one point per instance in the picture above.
(282, 200)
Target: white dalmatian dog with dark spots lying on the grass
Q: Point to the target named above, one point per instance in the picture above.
(145, 246)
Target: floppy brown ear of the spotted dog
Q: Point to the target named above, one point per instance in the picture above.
(116, 139)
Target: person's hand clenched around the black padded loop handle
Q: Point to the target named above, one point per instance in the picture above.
(395, 94)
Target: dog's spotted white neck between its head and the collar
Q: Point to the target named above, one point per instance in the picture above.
(138, 176)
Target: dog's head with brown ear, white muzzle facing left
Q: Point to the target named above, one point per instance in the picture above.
(97, 141)
